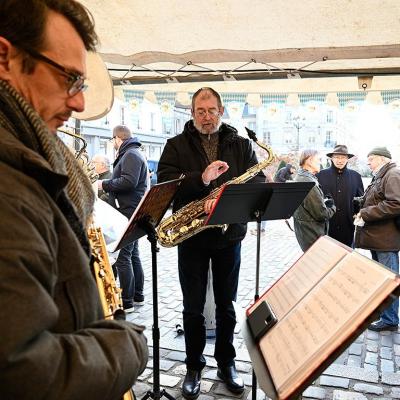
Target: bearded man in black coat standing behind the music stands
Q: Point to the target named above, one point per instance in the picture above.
(209, 153)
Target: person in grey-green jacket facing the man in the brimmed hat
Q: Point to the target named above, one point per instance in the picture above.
(311, 219)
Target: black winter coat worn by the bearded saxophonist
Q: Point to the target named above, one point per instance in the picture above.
(184, 154)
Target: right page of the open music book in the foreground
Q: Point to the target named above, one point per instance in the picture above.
(322, 320)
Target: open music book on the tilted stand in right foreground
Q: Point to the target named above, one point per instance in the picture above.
(321, 304)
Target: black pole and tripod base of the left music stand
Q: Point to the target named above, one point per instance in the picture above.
(155, 393)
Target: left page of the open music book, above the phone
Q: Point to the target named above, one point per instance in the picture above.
(303, 275)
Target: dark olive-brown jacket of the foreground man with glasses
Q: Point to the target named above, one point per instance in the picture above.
(54, 343)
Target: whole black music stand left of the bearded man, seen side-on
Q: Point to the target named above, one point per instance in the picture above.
(146, 217)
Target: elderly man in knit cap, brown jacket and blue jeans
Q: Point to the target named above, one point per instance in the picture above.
(375, 224)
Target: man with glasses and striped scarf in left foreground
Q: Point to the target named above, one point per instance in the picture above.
(54, 341)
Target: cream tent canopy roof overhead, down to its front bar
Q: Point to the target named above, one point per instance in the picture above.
(145, 41)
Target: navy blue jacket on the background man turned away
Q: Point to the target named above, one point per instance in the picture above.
(129, 179)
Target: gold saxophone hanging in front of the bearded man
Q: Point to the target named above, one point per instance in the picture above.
(189, 220)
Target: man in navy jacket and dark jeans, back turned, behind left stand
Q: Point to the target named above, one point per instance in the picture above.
(125, 189)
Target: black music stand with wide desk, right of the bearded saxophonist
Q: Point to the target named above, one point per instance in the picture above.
(238, 203)
